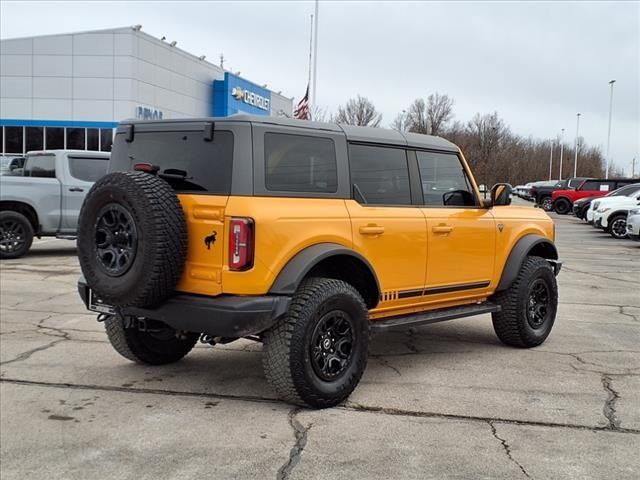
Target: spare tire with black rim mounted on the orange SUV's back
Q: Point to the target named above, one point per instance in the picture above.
(132, 239)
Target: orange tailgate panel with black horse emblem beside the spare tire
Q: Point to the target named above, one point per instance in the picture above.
(206, 244)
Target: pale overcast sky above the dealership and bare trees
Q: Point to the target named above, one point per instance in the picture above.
(537, 64)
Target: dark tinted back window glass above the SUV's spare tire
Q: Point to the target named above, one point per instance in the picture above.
(184, 159)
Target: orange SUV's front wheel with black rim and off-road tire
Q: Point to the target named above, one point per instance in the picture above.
(529, 306)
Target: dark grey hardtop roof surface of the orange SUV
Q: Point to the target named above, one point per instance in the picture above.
(353, 133)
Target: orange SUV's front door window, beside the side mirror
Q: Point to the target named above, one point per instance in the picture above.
(444, 181)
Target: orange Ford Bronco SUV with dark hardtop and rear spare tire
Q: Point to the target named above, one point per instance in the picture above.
(306, 237)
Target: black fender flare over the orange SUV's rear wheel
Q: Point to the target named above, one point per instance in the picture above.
(287, 281)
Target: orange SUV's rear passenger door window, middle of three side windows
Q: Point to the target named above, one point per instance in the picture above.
(379, 175)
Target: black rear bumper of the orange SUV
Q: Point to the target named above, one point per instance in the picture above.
(222, 316)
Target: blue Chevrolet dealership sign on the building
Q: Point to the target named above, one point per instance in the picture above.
(237, 95)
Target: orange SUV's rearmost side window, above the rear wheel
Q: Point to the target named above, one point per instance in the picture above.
(300, 163)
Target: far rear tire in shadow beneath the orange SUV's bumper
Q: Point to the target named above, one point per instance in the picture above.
(148, 348)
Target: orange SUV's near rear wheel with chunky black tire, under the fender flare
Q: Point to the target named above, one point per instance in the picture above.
(316, 354)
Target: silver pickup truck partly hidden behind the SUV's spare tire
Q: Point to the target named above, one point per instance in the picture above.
(44, 198)
